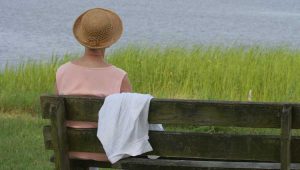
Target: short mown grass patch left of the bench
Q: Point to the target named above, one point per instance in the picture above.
(21, 143)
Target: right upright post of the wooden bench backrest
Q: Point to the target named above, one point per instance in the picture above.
(286, 121)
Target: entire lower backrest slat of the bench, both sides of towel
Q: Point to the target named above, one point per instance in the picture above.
(198, 145)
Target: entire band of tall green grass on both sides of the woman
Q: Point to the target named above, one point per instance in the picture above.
(200, 72)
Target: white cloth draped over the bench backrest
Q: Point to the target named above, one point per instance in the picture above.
(123, 125)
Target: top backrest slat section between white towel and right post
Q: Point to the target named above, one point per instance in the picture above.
(217, 114)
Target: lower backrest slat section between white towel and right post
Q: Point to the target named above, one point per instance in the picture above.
(215, 146)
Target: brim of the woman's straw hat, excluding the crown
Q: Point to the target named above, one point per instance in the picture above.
(117, 31)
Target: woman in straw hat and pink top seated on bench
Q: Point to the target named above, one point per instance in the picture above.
(96, 29)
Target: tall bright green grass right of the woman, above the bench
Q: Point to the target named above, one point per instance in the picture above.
(213, 73)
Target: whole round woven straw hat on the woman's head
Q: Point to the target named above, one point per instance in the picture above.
(97, 28)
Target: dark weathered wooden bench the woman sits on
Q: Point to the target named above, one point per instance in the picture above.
(182, 150)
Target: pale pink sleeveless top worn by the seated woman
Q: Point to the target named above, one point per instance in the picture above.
(72, 79)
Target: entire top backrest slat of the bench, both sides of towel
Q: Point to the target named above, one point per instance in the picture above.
(202, 113)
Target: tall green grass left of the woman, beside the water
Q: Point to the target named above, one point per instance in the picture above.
(21, 86)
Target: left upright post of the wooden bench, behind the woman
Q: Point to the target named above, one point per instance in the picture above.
(59, 135)
